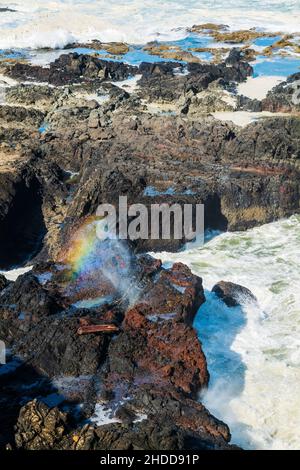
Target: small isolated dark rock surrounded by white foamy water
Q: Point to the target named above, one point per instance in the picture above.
(233, 294)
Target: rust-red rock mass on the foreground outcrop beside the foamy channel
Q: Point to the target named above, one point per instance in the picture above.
(157, 352)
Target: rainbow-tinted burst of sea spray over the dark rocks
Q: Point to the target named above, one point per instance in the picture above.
(98, 267)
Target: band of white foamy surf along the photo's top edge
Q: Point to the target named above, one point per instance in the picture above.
(56, 23)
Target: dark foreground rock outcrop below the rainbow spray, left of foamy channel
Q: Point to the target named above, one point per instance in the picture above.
(149, 372)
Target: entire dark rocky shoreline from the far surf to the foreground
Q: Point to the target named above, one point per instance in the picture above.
(97, 363)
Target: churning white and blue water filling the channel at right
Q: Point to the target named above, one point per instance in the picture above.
(253, 352)
